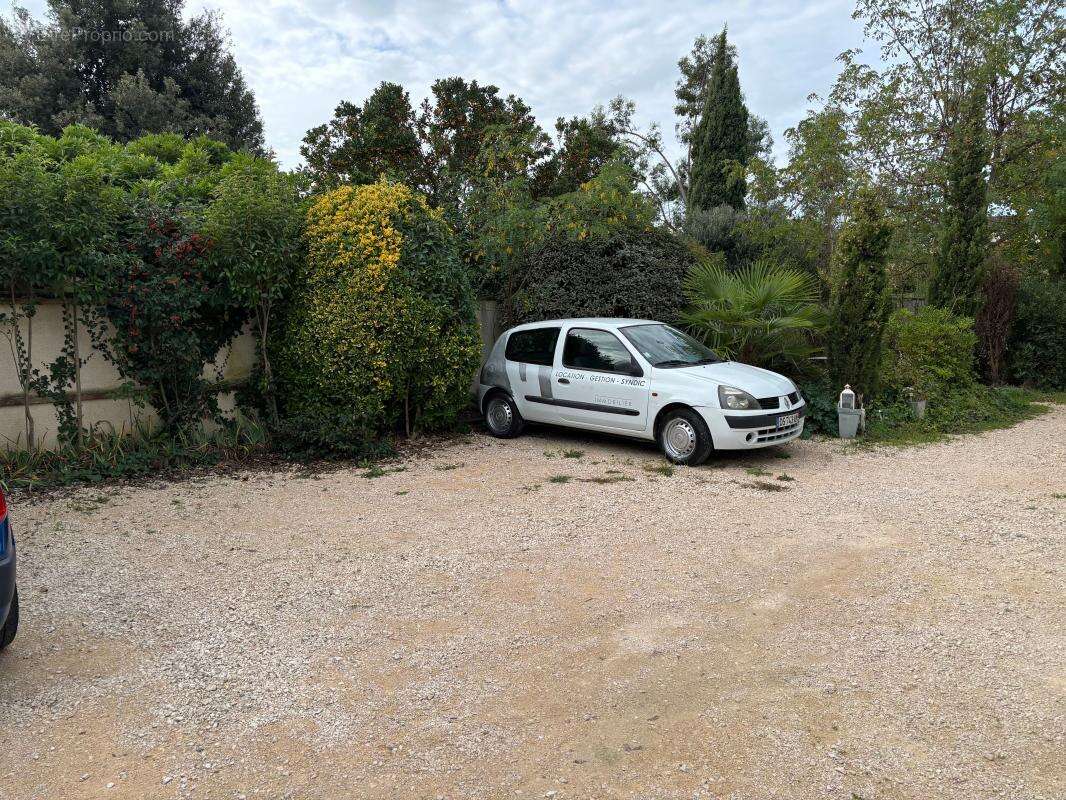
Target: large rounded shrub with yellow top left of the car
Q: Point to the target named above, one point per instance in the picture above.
(382, 324)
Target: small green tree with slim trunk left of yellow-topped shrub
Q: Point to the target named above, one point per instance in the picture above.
(255, 223)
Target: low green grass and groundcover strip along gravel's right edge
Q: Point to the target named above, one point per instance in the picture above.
(979, 410)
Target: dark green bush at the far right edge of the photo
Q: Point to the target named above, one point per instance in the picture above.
(1038, 345)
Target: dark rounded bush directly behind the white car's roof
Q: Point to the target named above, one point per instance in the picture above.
(637, 274)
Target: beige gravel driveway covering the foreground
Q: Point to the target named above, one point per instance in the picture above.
(554, 617)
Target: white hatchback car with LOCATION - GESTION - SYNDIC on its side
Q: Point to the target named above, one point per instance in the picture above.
(636, 378)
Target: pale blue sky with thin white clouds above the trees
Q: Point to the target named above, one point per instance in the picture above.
(562, 57)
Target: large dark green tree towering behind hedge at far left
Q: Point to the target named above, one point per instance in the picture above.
(126, 68)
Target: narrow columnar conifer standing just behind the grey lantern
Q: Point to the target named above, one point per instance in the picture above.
(861, 308)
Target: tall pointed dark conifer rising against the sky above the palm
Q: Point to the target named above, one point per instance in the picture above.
(720, 140)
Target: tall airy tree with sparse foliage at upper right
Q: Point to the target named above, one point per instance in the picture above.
(901, 114)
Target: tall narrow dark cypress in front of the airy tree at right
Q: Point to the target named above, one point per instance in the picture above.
(959, 274)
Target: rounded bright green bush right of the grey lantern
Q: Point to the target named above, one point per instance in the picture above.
(930, 351)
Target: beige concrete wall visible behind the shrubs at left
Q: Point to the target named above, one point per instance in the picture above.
(99, 376)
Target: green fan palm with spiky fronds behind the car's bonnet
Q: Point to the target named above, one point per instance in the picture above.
(763, 314)
